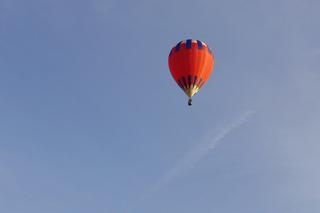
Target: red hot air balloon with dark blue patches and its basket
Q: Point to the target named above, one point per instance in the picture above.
(191, 63)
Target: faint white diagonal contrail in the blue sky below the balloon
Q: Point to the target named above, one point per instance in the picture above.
(193, 156)
